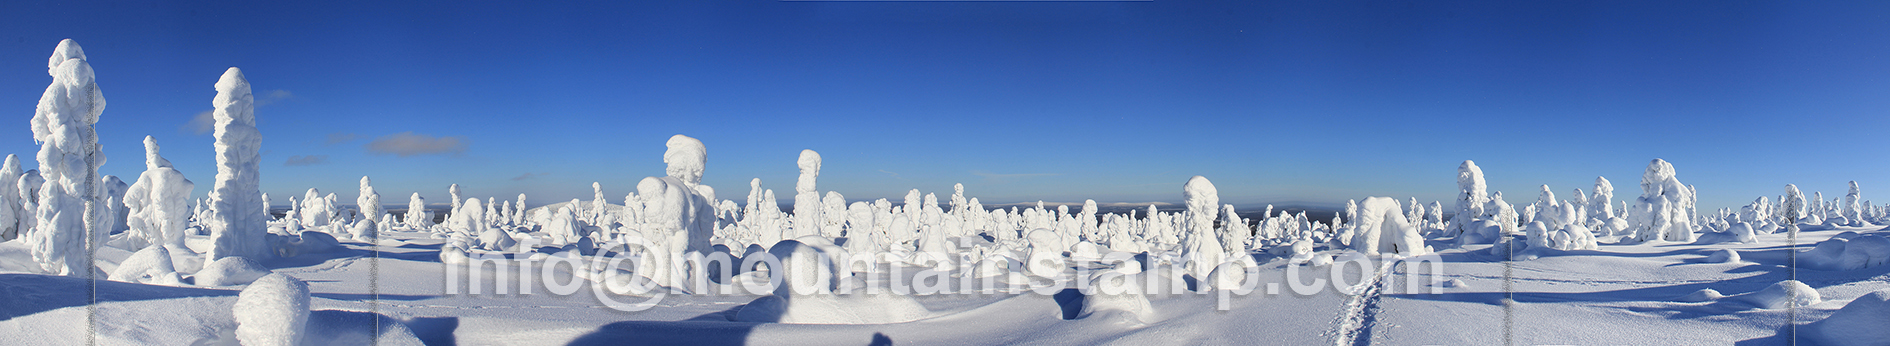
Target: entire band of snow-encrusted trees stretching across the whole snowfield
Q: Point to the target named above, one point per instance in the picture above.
(67, 211)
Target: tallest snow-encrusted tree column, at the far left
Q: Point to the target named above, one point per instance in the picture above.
(71, 205)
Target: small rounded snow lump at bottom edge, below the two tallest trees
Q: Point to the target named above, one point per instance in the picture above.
(273, 311)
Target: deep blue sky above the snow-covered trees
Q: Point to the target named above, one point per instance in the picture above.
(1305, 101)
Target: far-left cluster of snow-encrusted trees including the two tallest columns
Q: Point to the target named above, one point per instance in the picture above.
(67, 211)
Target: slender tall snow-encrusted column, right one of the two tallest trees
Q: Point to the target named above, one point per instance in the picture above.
(239, 226)
